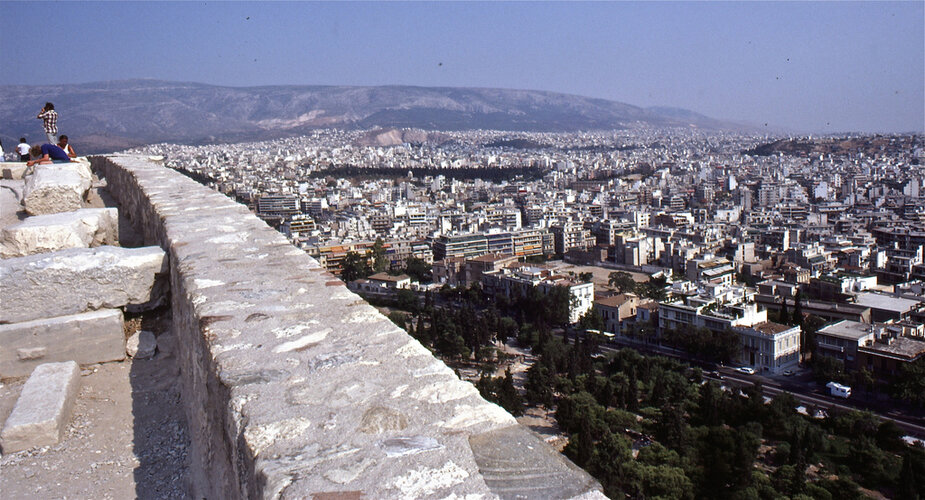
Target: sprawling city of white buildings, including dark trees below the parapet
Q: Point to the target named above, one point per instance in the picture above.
(788, 270)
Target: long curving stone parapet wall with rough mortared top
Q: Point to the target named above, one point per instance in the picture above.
(294, 387)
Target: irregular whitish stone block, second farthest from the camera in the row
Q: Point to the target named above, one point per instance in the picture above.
(87, 227)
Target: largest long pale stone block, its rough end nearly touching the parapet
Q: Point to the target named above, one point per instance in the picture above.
(78, 280)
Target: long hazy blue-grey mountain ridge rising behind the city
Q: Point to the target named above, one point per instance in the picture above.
(109, 116)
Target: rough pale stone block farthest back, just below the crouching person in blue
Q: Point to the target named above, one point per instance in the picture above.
(57, 188)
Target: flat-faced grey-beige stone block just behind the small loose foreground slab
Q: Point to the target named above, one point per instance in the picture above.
(93, 337)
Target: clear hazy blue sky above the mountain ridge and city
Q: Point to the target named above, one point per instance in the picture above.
(820, 67)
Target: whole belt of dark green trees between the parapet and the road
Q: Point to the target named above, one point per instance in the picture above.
(691, 437)
